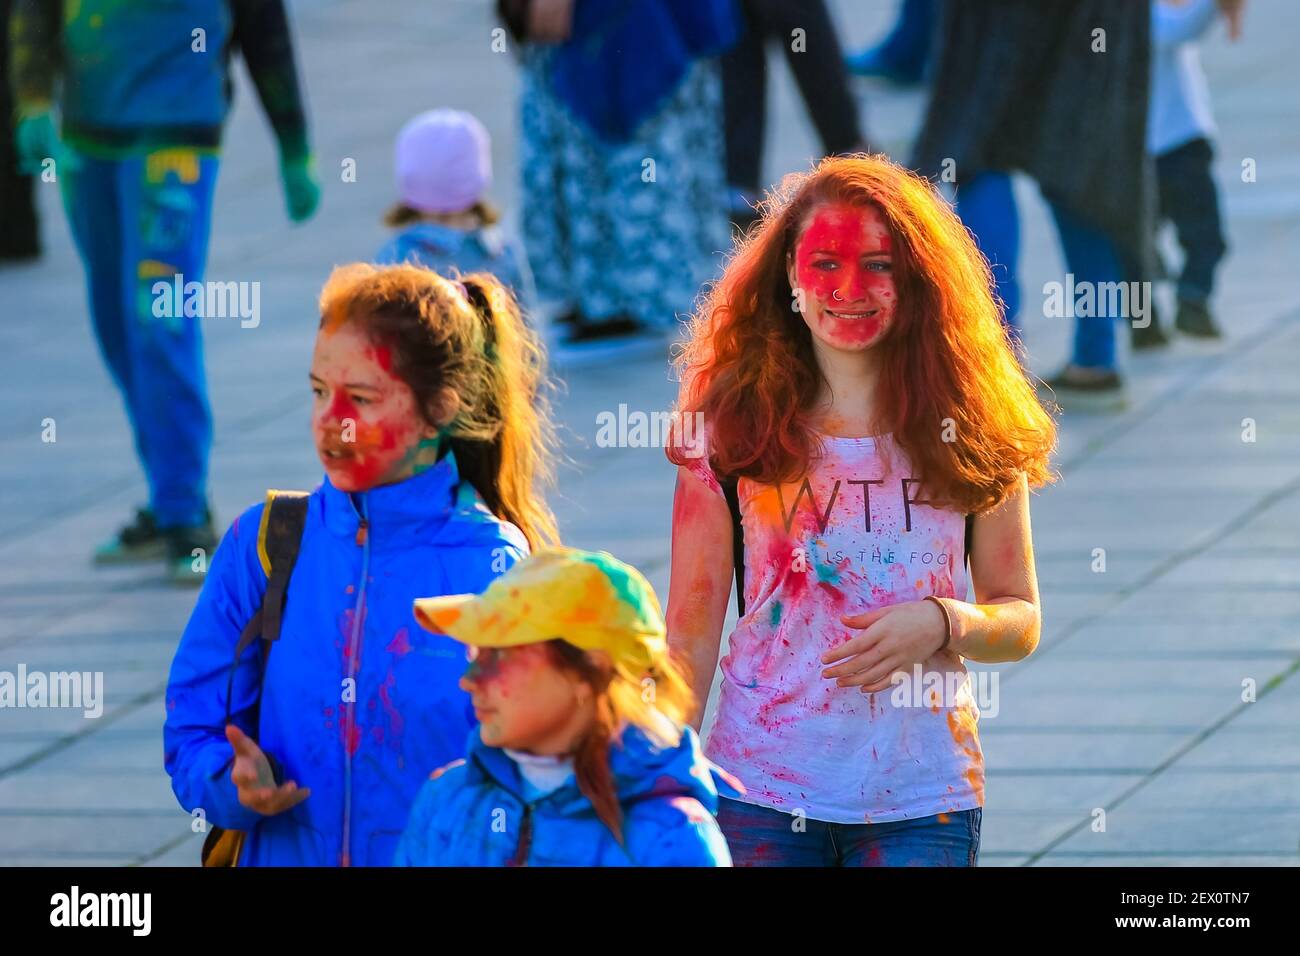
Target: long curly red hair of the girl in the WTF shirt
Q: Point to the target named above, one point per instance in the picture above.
(751, 371)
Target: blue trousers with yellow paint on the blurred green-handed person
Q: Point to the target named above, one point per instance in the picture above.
(137, 222)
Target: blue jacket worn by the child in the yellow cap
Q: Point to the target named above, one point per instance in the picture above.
(474, 814)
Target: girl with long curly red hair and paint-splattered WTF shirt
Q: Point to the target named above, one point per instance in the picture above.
(860, 400)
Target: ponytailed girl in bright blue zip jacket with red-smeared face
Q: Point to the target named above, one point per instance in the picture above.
(428, 423)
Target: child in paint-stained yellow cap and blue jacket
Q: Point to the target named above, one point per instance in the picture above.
(582, 758)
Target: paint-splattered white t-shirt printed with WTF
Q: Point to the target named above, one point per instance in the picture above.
(847, 539)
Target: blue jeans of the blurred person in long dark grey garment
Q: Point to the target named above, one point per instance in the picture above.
(987, 207)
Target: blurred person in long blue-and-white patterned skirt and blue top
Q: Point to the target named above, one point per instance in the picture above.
(622, 158)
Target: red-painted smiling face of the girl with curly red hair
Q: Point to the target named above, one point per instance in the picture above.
(843, 262)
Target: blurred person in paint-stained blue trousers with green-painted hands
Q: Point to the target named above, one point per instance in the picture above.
(145, 90)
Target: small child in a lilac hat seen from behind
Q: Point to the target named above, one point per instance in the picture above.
(443, 162)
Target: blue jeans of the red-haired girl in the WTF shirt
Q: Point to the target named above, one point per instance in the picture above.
(762, 837)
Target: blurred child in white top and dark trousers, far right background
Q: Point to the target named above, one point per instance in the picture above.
(1180, 136)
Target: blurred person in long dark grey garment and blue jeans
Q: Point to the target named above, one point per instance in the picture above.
(1060, 93)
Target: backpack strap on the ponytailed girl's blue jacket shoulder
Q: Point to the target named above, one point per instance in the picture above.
(279, 540)
